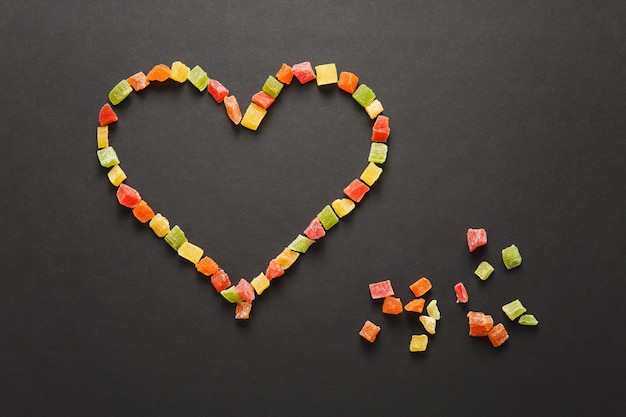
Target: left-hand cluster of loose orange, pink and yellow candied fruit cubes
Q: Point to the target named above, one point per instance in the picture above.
(393, 305)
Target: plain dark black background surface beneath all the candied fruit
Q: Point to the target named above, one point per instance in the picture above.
(505, 115)
